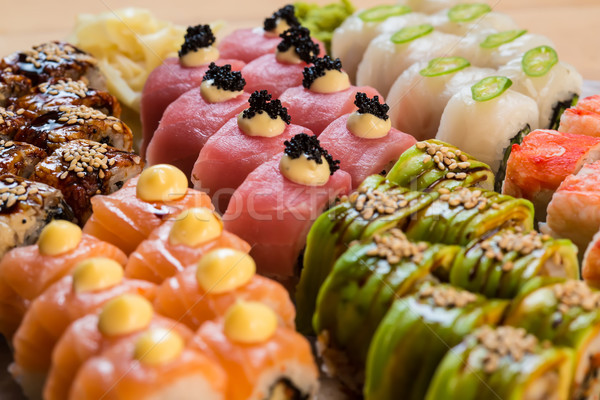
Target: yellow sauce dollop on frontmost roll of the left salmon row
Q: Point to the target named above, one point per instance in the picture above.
(158, 346)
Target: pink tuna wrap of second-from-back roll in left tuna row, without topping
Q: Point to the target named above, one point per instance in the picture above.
(186, 126)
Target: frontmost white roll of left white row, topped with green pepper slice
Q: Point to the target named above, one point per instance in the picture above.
(486, 128)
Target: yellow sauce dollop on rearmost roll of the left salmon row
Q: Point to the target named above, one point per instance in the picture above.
(59, 237)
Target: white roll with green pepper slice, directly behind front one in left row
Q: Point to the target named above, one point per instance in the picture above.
(417, 98)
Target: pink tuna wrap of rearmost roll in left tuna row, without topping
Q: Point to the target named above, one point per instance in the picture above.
(164, 85)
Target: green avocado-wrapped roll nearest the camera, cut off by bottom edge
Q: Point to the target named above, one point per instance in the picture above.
(503, 362)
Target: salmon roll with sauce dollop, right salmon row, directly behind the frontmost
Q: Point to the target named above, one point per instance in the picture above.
(222, 277)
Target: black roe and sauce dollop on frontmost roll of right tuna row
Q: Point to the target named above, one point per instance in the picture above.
(370, 121)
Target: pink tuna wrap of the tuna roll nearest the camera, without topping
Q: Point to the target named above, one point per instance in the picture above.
(274, 215)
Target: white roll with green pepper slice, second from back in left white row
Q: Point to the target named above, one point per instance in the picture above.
(384, 61)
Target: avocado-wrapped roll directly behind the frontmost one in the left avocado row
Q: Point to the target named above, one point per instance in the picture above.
(417, 333)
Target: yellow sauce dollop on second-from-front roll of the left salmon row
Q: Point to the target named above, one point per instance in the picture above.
(125, 314)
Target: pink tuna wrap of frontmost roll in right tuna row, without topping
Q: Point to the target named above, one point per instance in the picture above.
(361, 157)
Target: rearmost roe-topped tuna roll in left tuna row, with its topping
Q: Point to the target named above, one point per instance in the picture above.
(177, 75)
